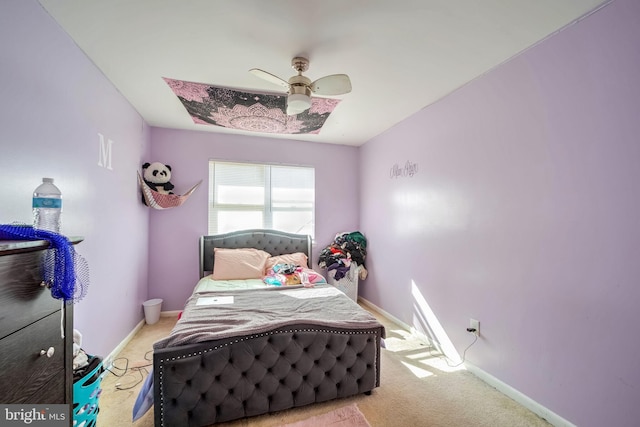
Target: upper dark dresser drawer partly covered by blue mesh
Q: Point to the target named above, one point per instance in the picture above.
(22, 299)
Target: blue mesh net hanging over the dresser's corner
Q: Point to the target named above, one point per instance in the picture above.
(63, 269)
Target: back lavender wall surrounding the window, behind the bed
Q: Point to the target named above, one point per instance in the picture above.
(174, 233)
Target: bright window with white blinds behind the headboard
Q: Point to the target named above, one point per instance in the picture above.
(247, 195)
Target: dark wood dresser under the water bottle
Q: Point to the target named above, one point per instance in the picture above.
(35, 361)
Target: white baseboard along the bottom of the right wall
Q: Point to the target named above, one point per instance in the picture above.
(551, 417)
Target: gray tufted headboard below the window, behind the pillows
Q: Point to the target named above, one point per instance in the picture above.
(272, 241)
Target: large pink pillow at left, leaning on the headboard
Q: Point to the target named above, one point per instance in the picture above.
(235, 264)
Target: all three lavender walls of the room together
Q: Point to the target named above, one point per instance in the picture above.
(522, 214)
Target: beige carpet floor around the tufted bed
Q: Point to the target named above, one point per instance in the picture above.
(418, 388)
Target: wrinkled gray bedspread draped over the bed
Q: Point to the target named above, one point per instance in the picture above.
(223, 314)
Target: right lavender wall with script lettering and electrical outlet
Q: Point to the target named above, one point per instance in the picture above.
(523, 214)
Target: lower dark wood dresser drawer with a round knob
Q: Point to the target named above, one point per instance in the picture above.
(27, 376)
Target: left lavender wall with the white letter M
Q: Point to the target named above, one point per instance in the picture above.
(53, 104)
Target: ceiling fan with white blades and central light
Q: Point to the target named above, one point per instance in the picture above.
(300, 88)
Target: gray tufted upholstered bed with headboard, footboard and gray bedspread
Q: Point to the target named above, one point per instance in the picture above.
(255, 349)
